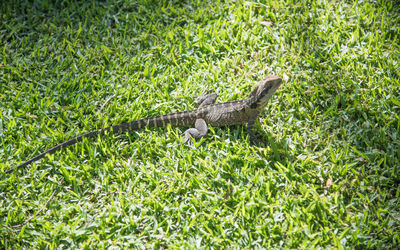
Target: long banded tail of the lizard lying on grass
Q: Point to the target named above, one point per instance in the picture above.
(180, 118)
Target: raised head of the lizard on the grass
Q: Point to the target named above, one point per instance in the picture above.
(261, 94)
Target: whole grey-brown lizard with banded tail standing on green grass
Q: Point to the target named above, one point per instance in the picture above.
(207, 113)
